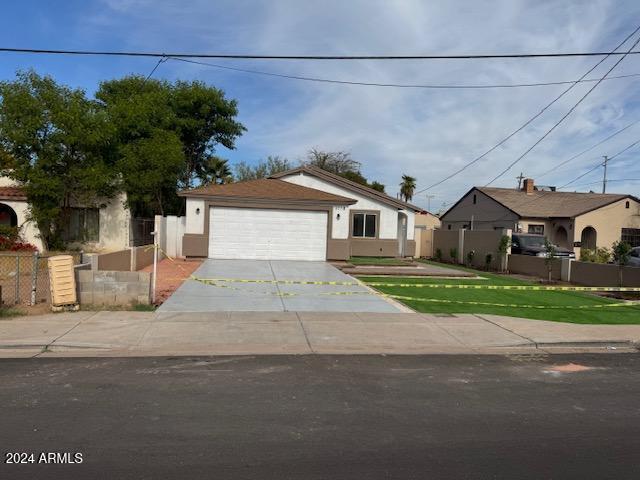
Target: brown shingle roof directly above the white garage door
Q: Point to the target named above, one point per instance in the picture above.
(267, 189)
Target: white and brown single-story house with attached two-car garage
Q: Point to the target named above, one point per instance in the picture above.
(301, 214)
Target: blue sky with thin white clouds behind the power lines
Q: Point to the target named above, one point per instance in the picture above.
(424, 133)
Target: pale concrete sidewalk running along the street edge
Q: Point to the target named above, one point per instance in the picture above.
(114, 334)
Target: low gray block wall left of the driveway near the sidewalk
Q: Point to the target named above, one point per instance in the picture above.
(99, 287)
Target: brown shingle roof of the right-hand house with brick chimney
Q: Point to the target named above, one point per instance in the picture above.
(542, 204)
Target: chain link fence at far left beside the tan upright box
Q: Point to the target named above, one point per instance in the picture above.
(24, 278)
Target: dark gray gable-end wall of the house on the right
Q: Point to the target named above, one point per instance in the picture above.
(486, 212)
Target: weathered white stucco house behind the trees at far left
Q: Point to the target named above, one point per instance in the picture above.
(101, 229)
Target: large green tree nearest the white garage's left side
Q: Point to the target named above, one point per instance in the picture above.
(144, 113)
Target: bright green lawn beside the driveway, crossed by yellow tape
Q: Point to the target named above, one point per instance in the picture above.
(557, 300)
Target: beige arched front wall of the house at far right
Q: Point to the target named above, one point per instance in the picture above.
(608, 222)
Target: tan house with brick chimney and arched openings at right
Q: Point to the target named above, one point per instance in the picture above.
(568, 219)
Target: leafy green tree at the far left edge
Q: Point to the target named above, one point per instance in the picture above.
(55, 143)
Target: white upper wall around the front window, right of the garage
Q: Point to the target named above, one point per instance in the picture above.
(388, 219)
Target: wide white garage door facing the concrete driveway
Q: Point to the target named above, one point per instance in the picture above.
(267, 234)
